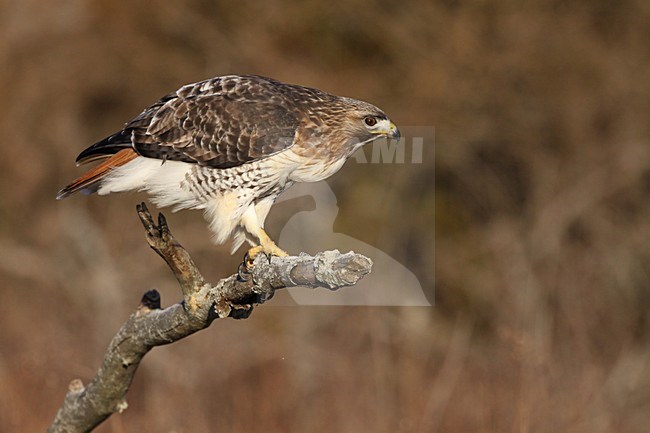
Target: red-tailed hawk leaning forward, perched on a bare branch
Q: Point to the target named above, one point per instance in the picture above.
(230, 145)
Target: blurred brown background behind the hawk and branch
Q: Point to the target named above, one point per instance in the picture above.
(542, 216)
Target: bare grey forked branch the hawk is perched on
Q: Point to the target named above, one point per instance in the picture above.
(85, 407)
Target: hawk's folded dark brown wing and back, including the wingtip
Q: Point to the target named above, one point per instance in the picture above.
(220, 123)
